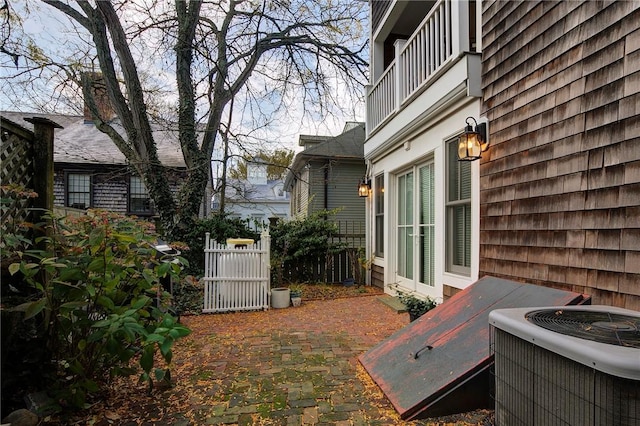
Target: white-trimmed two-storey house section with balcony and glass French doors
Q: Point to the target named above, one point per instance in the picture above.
(423, 213)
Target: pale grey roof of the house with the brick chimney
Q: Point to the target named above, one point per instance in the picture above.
(80, 142)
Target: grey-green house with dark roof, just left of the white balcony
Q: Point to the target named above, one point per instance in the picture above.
(325, 175)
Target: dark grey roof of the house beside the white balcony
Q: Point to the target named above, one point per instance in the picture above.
(348, 145)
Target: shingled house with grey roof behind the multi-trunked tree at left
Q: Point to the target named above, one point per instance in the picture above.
(90, 172)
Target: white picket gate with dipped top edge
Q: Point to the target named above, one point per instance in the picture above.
(236, 279)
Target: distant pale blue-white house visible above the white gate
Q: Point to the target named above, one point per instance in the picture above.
(255, 199)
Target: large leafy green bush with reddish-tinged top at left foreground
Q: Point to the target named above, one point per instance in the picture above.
(97, 302)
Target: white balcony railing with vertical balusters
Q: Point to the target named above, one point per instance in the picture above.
(441, 36)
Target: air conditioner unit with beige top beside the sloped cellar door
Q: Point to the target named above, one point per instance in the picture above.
(577, 365)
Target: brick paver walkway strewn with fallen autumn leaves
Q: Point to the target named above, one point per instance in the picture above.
(290, 366)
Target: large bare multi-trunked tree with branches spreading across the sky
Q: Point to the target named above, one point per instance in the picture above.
(216, 73)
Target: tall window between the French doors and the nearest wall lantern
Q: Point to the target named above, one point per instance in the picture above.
(458, 217)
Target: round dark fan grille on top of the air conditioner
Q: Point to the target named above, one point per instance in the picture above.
(601, 327)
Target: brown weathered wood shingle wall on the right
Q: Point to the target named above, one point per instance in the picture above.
(560, 185)
